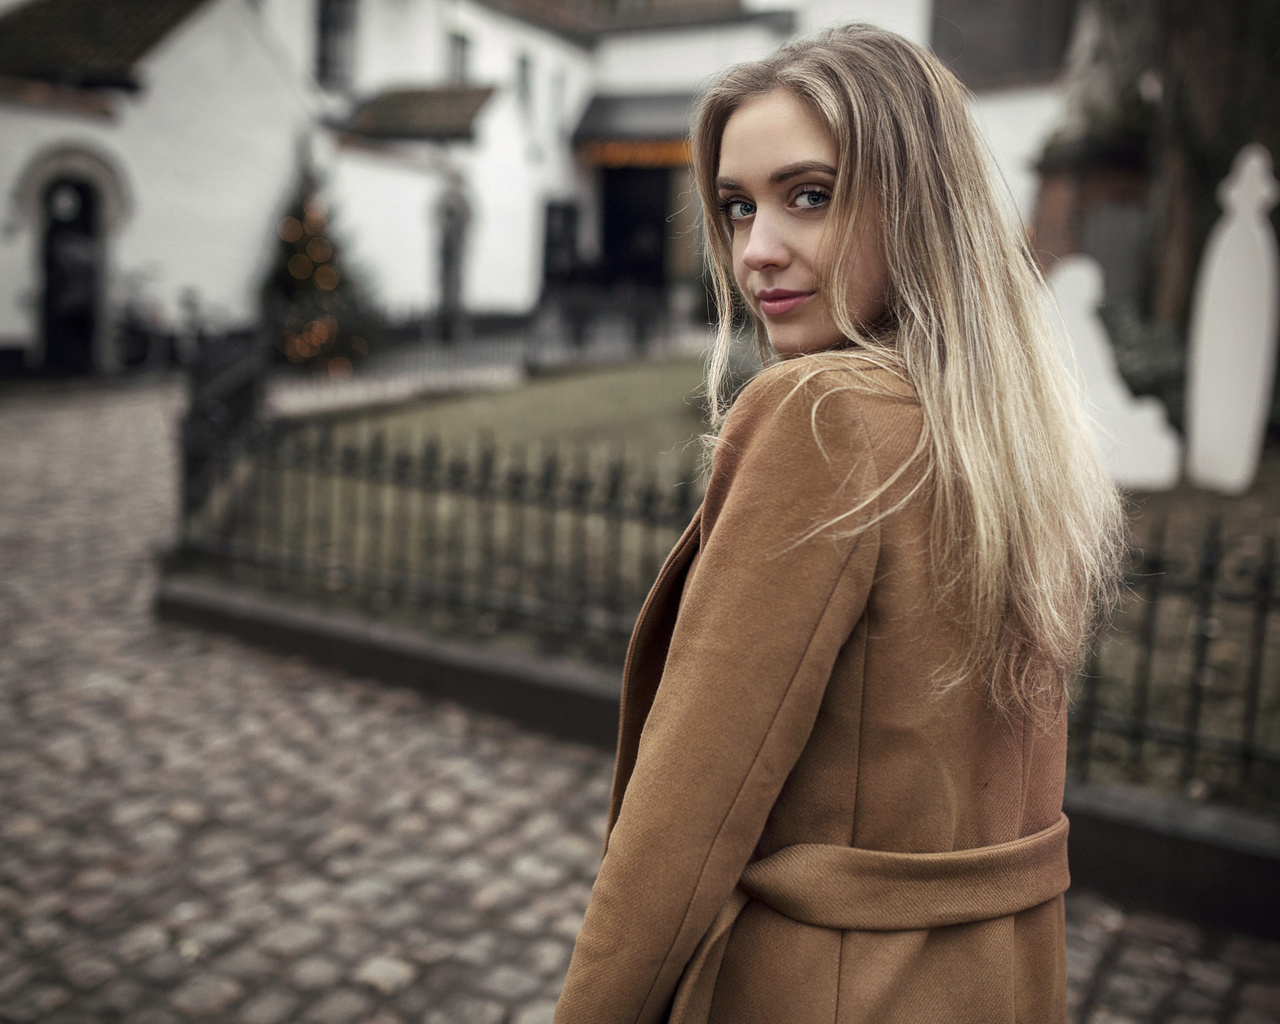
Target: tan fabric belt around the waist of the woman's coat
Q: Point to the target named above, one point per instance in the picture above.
(847, 889)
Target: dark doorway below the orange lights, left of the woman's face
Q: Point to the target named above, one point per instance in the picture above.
(636, 225)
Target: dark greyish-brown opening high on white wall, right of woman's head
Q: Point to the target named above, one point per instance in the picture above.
(1003, 43)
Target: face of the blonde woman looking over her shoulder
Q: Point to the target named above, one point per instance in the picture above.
(776, 175)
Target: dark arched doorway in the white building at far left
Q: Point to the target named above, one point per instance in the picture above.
(72, 262)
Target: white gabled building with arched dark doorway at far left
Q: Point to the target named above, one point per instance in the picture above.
(136, 167)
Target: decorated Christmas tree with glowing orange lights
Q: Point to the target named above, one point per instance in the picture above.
(313, 305)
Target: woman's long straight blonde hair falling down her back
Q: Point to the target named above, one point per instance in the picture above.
(1027, 528)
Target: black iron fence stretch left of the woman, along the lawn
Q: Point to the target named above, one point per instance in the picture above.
(540, 546)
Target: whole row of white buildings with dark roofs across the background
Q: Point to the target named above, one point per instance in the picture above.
(470, 152)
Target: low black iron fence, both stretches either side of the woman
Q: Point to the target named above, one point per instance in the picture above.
(559, 550)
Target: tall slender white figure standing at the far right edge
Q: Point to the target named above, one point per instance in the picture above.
(1233, 331)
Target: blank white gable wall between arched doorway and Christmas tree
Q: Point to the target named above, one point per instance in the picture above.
(217, 159)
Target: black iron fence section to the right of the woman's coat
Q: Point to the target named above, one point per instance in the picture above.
(1183, 689)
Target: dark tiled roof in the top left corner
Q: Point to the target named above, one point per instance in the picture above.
(92, 44)
